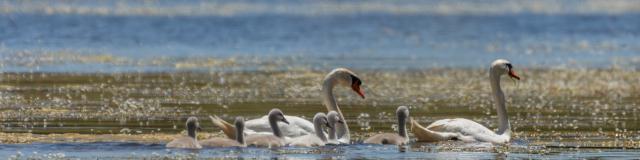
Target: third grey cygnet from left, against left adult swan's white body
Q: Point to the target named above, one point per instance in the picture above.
(269, 140)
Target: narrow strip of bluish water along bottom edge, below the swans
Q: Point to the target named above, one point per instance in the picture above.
(116, 150)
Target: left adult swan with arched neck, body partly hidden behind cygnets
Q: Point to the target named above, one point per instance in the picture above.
(300, 126)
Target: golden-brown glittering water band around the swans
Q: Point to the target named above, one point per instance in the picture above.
(589, 113)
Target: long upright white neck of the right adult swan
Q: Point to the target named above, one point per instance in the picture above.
(503, 120)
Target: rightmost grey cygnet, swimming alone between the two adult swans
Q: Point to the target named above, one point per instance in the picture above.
(400, 138)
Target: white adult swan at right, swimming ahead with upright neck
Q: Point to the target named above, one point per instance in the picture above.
(467, 130)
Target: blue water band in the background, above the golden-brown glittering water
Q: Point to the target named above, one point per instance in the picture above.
(31, 41)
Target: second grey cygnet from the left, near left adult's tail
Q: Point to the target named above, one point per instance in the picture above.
(226, 142)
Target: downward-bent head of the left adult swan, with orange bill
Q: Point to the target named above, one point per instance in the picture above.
(347, 78)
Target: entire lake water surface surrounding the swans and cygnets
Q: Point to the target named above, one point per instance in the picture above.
(116, 79)
